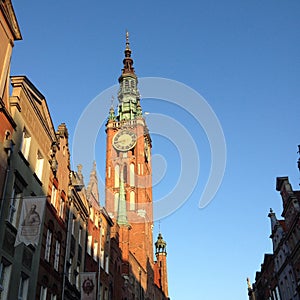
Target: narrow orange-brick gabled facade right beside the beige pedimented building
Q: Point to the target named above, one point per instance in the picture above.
(54, 234)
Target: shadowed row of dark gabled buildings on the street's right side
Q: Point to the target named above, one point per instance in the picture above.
(279, 277)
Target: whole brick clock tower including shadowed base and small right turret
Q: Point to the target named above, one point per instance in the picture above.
(128, 191)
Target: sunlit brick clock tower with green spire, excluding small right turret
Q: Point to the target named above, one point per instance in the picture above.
(128, 166)
